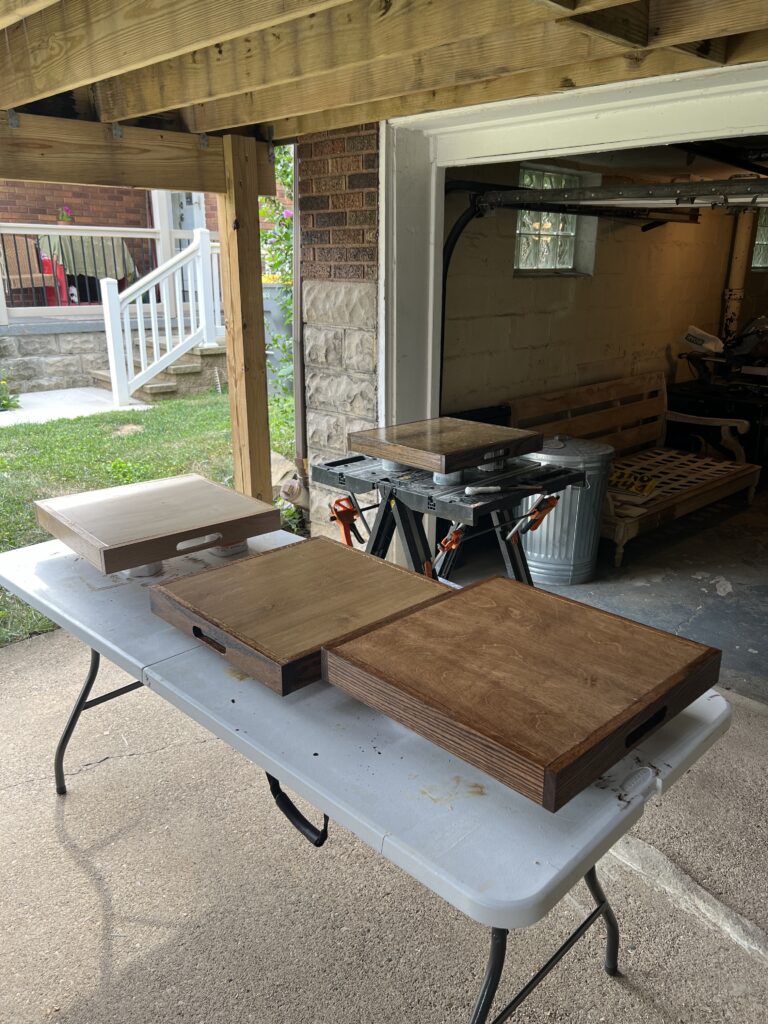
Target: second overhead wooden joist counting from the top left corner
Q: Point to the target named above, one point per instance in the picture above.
(349, 36)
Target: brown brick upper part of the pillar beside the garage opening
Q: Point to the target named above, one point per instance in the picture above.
(338, 181)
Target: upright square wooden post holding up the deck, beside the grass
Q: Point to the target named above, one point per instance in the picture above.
(244, 315)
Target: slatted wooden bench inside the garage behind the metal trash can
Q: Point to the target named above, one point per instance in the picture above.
(631, 415)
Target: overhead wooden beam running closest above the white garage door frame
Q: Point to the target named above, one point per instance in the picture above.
(533, 83)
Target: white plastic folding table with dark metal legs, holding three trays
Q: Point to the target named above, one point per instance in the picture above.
(493, 855)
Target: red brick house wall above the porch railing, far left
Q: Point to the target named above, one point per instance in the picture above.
(38, 203)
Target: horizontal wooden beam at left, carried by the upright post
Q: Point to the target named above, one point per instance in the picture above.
(38, 149)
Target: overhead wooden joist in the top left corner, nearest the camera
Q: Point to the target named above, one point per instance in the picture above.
(77, 42)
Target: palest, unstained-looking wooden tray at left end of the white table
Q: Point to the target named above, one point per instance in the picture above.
(122, 528)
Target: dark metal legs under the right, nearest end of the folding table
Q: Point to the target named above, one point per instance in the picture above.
(482, 1012)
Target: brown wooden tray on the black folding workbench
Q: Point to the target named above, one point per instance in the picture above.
(446, 445)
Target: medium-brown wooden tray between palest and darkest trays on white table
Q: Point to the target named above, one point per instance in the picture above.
(270, 615)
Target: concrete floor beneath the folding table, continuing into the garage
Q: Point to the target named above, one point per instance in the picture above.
(167, 887)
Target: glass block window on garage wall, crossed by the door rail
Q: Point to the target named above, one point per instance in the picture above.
(546, 241)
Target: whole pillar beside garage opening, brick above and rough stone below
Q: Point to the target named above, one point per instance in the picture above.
(337, 195)
